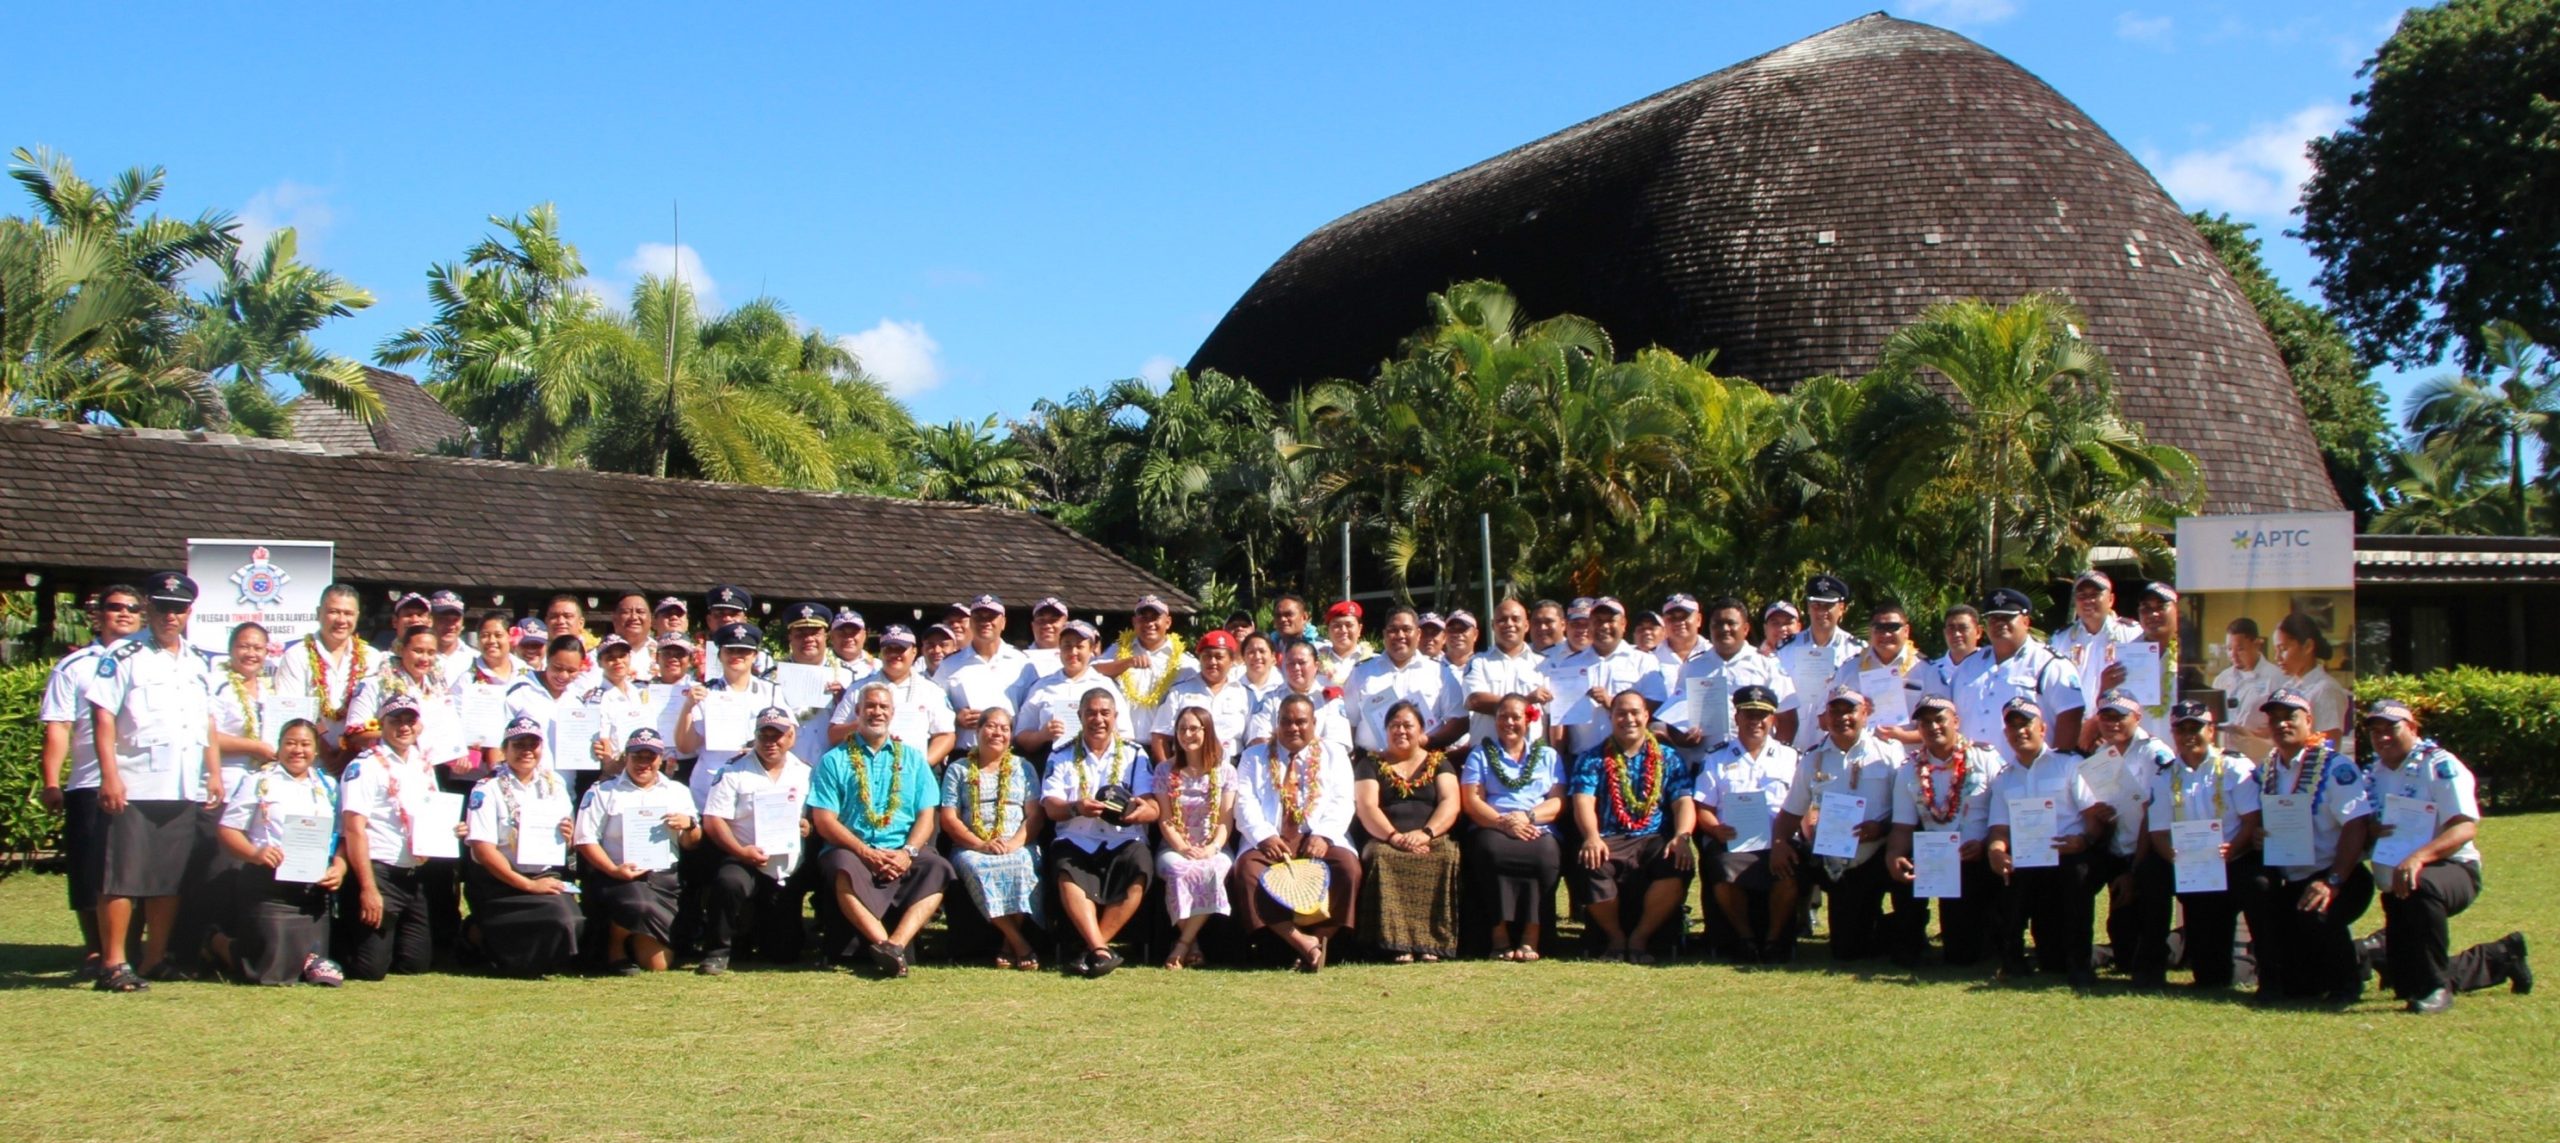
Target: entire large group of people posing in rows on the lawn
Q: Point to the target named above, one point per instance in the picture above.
(547, 796)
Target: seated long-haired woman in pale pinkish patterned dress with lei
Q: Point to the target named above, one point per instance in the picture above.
(1197, 791)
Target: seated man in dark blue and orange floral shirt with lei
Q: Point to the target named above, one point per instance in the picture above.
(1637, 844)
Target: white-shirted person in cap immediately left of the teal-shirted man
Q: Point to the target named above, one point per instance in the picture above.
(754, 819)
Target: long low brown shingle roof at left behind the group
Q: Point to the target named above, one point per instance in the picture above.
(96, 501)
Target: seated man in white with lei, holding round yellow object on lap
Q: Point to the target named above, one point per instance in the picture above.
(1297, 803)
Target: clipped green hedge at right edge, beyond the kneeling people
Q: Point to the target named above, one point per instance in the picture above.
(2502, 727)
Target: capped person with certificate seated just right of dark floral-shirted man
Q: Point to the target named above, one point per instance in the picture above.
(1750, 775)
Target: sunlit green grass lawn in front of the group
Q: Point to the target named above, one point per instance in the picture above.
(1361, 1052)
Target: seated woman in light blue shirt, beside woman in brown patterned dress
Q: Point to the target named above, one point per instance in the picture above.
(1514, 793)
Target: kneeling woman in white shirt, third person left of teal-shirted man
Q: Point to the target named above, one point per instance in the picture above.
(518, 826)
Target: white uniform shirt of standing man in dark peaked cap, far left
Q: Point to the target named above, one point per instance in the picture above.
(163, 703)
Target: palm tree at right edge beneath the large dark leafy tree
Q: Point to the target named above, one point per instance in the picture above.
(2518, 401)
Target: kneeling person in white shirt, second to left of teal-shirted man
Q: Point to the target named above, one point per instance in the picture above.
(628, 834)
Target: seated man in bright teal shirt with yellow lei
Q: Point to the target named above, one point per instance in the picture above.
(869, 803)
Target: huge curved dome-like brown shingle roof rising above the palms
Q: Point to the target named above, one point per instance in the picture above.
(1791, 214)
